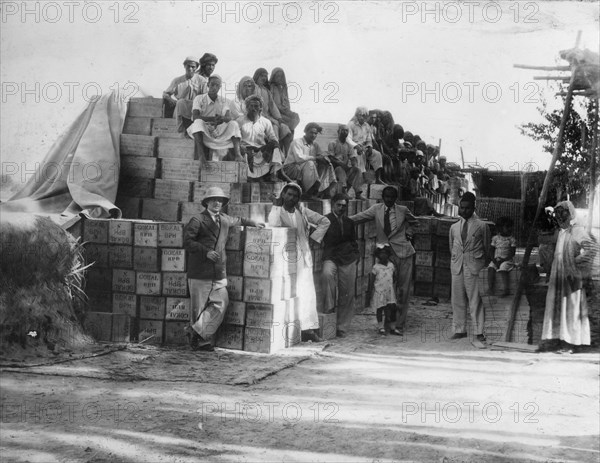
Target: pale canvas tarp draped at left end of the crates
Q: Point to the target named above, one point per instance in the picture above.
(81, 170)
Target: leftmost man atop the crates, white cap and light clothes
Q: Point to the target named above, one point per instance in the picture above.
(179, 95)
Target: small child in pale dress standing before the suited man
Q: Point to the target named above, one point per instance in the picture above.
(382, 289)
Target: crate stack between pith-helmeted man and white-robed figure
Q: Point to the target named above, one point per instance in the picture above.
(263, 311)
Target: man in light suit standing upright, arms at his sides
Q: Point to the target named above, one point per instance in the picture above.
(470, 249)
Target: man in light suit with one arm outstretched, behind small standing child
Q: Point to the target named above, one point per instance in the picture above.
(393, 224)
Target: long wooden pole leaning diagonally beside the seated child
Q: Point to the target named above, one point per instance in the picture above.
(542, 200)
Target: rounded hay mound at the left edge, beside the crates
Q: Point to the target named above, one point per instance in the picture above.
(40, 278)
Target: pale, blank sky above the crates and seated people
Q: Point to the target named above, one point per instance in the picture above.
(377, 54)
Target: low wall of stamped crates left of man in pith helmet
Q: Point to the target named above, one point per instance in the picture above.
(137, 284)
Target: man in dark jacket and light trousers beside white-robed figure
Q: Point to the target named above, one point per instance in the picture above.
(340, 255)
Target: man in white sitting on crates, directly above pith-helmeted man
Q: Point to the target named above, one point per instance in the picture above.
(213, 127)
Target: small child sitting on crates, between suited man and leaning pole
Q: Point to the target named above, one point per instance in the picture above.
(504, 246)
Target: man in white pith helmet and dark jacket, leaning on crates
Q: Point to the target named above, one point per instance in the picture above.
(204, 241)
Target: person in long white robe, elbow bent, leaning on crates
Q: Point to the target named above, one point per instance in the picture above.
(288, 213)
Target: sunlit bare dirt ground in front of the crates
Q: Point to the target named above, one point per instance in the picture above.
(420, 398)
